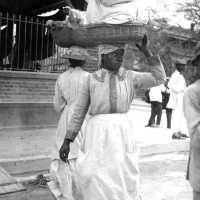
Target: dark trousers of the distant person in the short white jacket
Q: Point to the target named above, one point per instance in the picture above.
(156, 111)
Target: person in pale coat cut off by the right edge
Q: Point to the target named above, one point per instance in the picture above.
(191, 106)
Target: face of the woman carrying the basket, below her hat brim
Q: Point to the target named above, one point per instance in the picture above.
(112, 60)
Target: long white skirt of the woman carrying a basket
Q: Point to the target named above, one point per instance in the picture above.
(107, 165)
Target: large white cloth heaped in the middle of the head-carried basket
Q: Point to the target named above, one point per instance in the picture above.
(116, 14)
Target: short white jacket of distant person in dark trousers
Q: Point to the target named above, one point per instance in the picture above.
(155, 93)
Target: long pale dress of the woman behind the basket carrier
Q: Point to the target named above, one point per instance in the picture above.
(67, 88)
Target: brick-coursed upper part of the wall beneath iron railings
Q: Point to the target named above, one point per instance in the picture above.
(20, 87)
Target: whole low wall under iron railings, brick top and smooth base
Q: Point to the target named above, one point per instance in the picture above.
(26, 99)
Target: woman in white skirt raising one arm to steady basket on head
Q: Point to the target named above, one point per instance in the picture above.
(107, 165)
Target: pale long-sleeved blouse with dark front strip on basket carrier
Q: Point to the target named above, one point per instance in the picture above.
(106, 92)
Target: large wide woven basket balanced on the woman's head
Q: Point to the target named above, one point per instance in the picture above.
(93, 35)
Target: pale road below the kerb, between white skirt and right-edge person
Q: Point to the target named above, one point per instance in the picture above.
(163, 178)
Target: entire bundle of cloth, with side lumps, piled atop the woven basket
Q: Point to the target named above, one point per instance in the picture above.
(107, 11)
